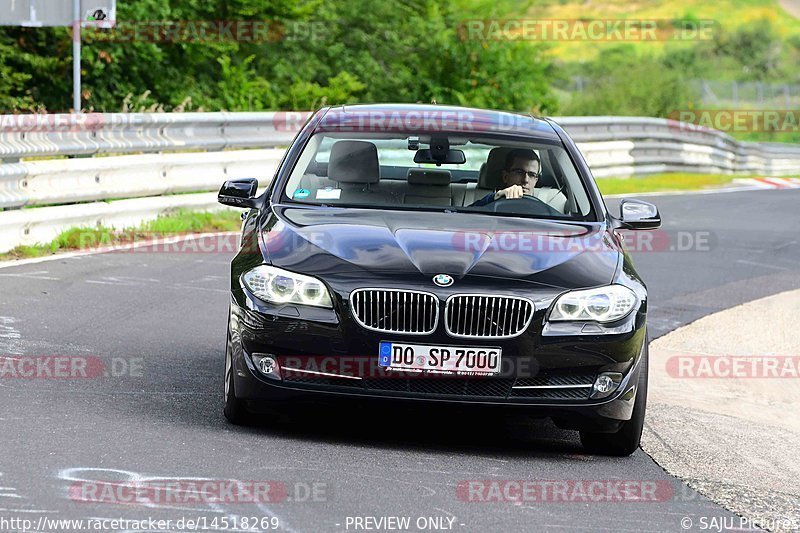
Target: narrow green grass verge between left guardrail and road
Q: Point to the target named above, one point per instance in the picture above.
(177, 222)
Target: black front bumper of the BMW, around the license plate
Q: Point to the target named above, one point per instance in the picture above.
(535, 359)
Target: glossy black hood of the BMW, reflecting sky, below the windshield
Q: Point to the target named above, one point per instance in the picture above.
(326, 241)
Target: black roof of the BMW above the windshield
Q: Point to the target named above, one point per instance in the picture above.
(432, 118)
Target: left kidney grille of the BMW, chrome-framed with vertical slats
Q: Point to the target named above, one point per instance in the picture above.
(396, 310)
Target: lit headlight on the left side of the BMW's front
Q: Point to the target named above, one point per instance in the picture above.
(280, 286)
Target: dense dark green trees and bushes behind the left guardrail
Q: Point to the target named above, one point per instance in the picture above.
(359, 50)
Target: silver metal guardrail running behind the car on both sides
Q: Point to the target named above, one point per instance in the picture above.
(52, 160)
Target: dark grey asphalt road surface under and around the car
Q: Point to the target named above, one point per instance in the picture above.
(156, 324)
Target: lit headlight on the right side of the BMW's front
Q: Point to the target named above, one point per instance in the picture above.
(603, 304)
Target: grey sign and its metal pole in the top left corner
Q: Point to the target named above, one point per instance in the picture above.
(75, 13)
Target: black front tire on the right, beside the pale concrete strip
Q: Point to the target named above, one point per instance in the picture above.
(626, 440)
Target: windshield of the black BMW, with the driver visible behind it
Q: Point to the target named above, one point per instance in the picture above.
(529, 178)
